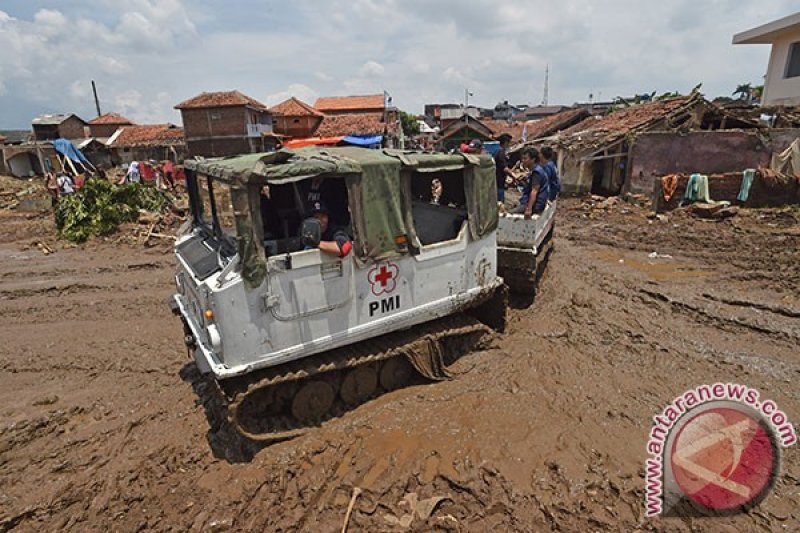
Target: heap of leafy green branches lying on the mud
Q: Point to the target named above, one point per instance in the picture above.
(101, 206)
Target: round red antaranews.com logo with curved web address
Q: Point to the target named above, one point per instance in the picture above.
(714, 450)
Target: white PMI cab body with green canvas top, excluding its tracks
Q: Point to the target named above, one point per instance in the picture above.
(253, 293)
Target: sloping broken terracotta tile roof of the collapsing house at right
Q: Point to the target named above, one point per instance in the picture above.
(631, 119)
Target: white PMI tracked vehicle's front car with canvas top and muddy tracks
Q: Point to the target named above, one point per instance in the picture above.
(293, 335)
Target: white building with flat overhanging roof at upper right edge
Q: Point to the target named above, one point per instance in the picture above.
(782, 84)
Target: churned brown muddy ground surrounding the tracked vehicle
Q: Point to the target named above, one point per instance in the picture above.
(102, 428)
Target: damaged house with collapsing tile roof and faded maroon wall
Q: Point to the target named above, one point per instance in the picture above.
(614, 153)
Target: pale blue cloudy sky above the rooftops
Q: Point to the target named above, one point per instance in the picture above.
(148, 55)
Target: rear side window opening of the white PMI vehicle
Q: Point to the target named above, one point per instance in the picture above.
(438, 205)
